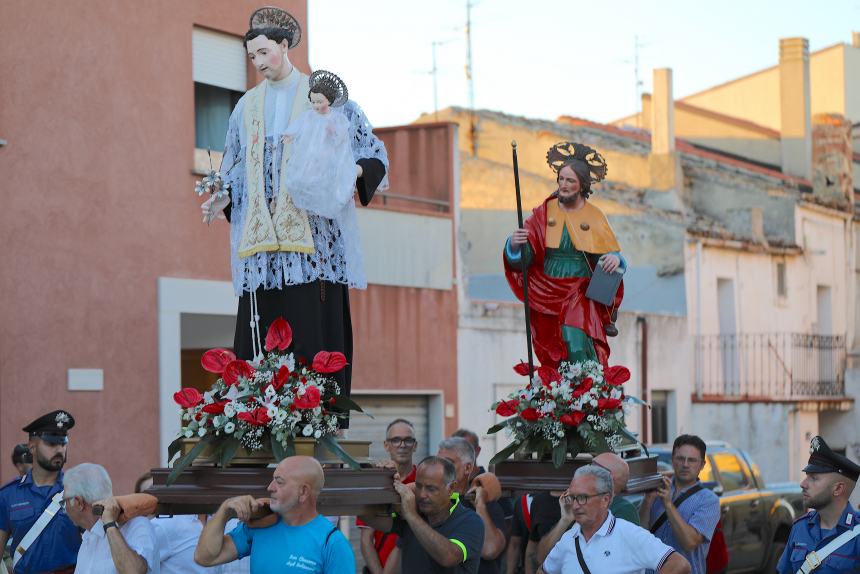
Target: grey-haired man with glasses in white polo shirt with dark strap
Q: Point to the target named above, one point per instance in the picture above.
(600, 543)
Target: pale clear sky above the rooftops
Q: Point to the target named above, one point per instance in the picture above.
(545, 58)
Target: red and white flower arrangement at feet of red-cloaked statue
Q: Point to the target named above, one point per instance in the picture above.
(576, 408)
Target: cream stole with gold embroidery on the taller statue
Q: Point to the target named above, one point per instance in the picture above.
(289, 229)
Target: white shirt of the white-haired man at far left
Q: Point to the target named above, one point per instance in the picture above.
(94, 557)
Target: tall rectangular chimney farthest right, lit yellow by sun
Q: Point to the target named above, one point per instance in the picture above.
(796, 129)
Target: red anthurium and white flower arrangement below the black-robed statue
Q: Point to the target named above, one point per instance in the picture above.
(263, 405)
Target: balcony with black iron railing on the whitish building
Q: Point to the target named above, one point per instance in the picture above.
(770, 367)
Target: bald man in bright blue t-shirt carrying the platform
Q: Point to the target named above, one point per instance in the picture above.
(301, 541)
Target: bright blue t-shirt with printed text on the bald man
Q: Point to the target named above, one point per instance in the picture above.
(313, 548)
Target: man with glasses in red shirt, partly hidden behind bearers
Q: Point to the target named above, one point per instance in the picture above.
(400, 443)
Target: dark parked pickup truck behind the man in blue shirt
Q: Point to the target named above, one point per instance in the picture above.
(756, 517)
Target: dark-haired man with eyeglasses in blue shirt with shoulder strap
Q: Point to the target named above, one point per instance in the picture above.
(682, 513)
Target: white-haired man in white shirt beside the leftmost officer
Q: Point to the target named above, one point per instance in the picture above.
(107, 547)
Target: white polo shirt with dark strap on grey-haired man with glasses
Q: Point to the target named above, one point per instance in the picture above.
(618, 547)
